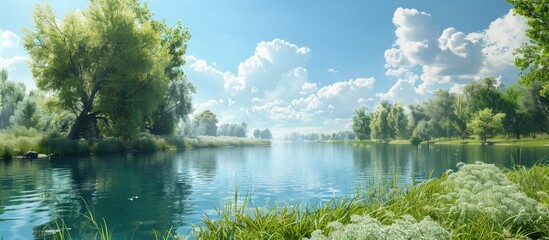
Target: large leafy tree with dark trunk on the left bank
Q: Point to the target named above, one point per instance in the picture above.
(100, 63)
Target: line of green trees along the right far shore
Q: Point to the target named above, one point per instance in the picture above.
(484, 110)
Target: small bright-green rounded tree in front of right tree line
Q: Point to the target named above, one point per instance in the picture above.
(486, 125)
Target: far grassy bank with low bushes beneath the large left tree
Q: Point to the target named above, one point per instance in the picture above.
(15, 142)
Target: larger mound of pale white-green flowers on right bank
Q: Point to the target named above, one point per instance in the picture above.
(482, 190)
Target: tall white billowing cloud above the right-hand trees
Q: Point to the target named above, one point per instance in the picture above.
(448, 59)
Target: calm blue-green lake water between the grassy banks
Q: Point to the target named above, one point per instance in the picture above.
(136, 193)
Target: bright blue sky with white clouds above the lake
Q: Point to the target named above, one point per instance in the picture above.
(307, 65)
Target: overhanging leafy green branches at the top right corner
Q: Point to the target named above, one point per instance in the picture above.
(533, 57)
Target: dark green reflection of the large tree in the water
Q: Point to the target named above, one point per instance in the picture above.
(134, 193)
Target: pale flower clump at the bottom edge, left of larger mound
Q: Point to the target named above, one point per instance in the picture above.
(370, 228)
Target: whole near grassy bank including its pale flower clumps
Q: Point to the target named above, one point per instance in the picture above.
(479, 201)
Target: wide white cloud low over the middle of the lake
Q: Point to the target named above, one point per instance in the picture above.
(272, 88)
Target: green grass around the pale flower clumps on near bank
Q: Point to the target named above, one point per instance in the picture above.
(423, 201)
